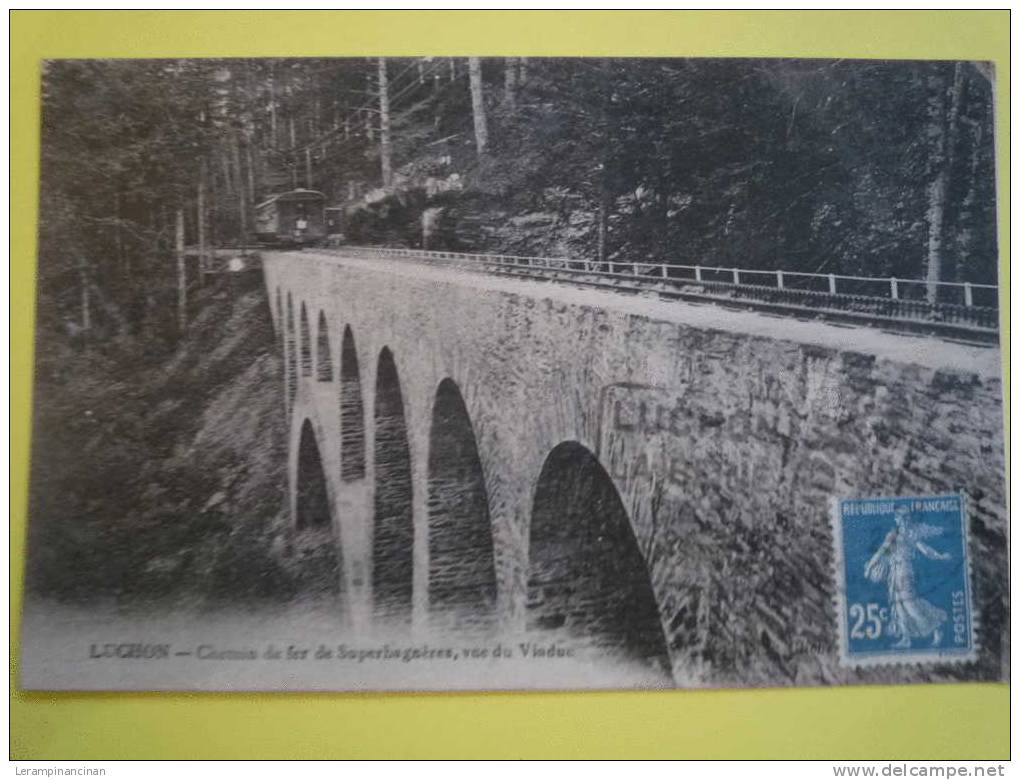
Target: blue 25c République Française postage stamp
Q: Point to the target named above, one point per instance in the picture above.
(903, 581)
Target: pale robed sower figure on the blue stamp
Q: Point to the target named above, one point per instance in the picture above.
(911, 616)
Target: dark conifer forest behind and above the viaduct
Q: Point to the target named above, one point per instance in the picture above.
(882, 169)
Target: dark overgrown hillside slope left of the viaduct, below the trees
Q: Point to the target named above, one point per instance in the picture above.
(163, 477)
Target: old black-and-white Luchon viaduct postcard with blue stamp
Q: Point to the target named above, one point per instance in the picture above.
(447, 374)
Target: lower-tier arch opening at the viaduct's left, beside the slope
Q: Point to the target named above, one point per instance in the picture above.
(317, 547)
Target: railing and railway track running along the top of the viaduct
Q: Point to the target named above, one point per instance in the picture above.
(962, 306)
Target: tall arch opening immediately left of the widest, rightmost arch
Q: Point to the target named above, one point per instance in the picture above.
(462, 562)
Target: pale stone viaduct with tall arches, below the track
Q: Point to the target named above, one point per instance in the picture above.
(722, 439)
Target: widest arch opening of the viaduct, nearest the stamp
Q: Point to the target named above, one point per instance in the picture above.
(588, 579)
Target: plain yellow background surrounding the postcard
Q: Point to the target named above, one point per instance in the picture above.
(920, 721)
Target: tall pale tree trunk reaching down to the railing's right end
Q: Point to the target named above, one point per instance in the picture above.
(943, 165)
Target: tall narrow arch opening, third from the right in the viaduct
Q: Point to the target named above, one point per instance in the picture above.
(393, 540)
